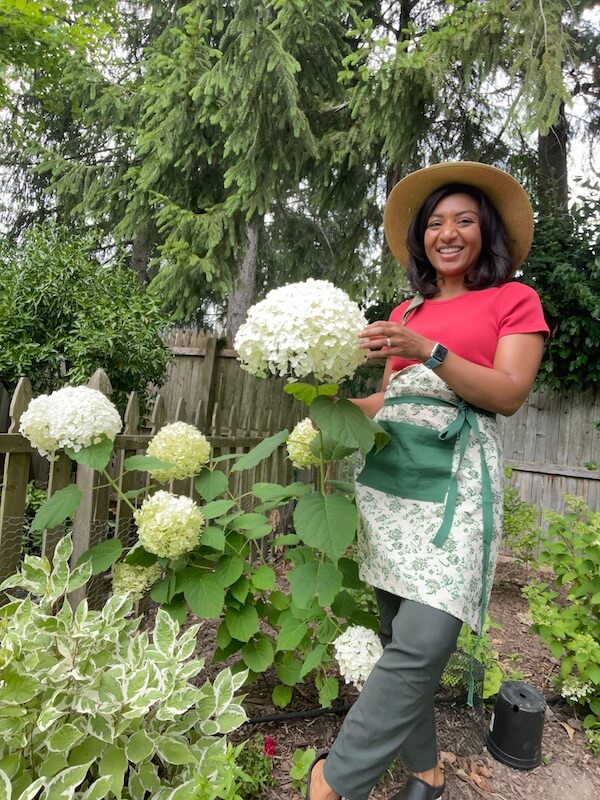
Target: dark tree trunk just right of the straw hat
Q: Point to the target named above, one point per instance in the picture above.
(553, 188)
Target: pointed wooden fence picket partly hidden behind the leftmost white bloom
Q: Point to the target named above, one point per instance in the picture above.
(89, 524)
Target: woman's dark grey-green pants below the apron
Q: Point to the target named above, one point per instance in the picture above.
(394, 714)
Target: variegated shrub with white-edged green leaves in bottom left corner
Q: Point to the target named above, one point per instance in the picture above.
(92, 707)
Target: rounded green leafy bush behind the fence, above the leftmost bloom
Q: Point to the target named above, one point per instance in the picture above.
(63, 315)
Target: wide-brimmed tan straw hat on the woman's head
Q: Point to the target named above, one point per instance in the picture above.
(504, 192)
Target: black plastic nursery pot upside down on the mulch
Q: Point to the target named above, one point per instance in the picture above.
(514, 736)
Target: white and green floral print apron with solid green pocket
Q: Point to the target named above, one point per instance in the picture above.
(431, 509)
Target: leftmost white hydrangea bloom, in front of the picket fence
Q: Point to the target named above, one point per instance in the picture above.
(74, 416)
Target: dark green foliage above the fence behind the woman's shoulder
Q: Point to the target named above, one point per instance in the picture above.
(564, 268)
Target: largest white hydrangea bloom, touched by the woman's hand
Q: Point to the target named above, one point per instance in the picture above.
(302, 329)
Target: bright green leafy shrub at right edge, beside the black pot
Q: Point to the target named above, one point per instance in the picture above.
(570, 626)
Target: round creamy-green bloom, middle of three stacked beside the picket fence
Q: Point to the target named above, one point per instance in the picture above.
(168, 525)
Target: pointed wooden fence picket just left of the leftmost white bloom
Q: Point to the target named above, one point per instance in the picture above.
(14, 488)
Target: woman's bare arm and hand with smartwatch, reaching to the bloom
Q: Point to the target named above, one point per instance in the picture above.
(502, 388)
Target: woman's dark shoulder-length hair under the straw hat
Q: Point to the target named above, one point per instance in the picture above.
(494, 265)
